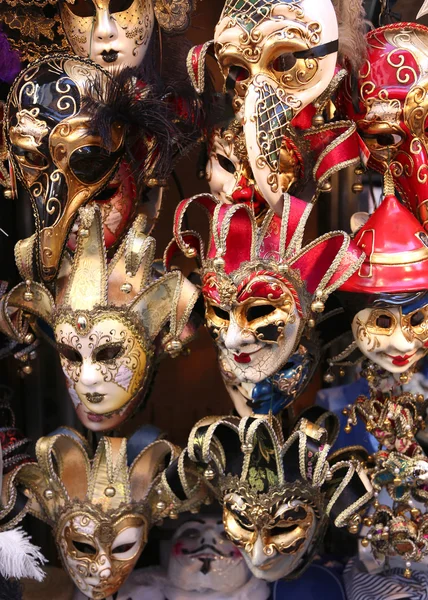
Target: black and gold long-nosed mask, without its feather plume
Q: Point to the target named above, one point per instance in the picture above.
(59, 160)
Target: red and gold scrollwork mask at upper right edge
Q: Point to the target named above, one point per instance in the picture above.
(392, 108)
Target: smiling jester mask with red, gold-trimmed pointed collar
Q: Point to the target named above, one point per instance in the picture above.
(264, 292)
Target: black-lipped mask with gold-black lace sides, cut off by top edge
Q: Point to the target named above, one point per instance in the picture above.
(113, 34)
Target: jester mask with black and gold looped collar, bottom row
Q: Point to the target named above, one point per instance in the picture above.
(274, 492)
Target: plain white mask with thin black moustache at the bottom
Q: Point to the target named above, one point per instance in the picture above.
(203, 559)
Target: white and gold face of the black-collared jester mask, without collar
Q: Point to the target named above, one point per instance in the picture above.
(270, 552)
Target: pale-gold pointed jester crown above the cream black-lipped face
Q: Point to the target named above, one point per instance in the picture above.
(88, 283)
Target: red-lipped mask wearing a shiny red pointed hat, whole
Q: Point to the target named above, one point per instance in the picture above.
(390, 321)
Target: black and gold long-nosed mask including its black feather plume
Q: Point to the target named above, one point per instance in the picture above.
(65, 142)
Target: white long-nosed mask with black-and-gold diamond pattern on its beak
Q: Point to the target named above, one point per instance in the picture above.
(277, 57)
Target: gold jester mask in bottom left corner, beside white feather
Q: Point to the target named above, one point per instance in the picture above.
(100, 508)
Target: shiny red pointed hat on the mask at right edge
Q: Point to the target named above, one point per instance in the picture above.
(396, 248)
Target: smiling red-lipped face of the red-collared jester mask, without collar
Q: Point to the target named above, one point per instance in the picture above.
(255, 337)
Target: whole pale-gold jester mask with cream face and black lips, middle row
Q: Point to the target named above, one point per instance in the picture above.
(111, 321)
